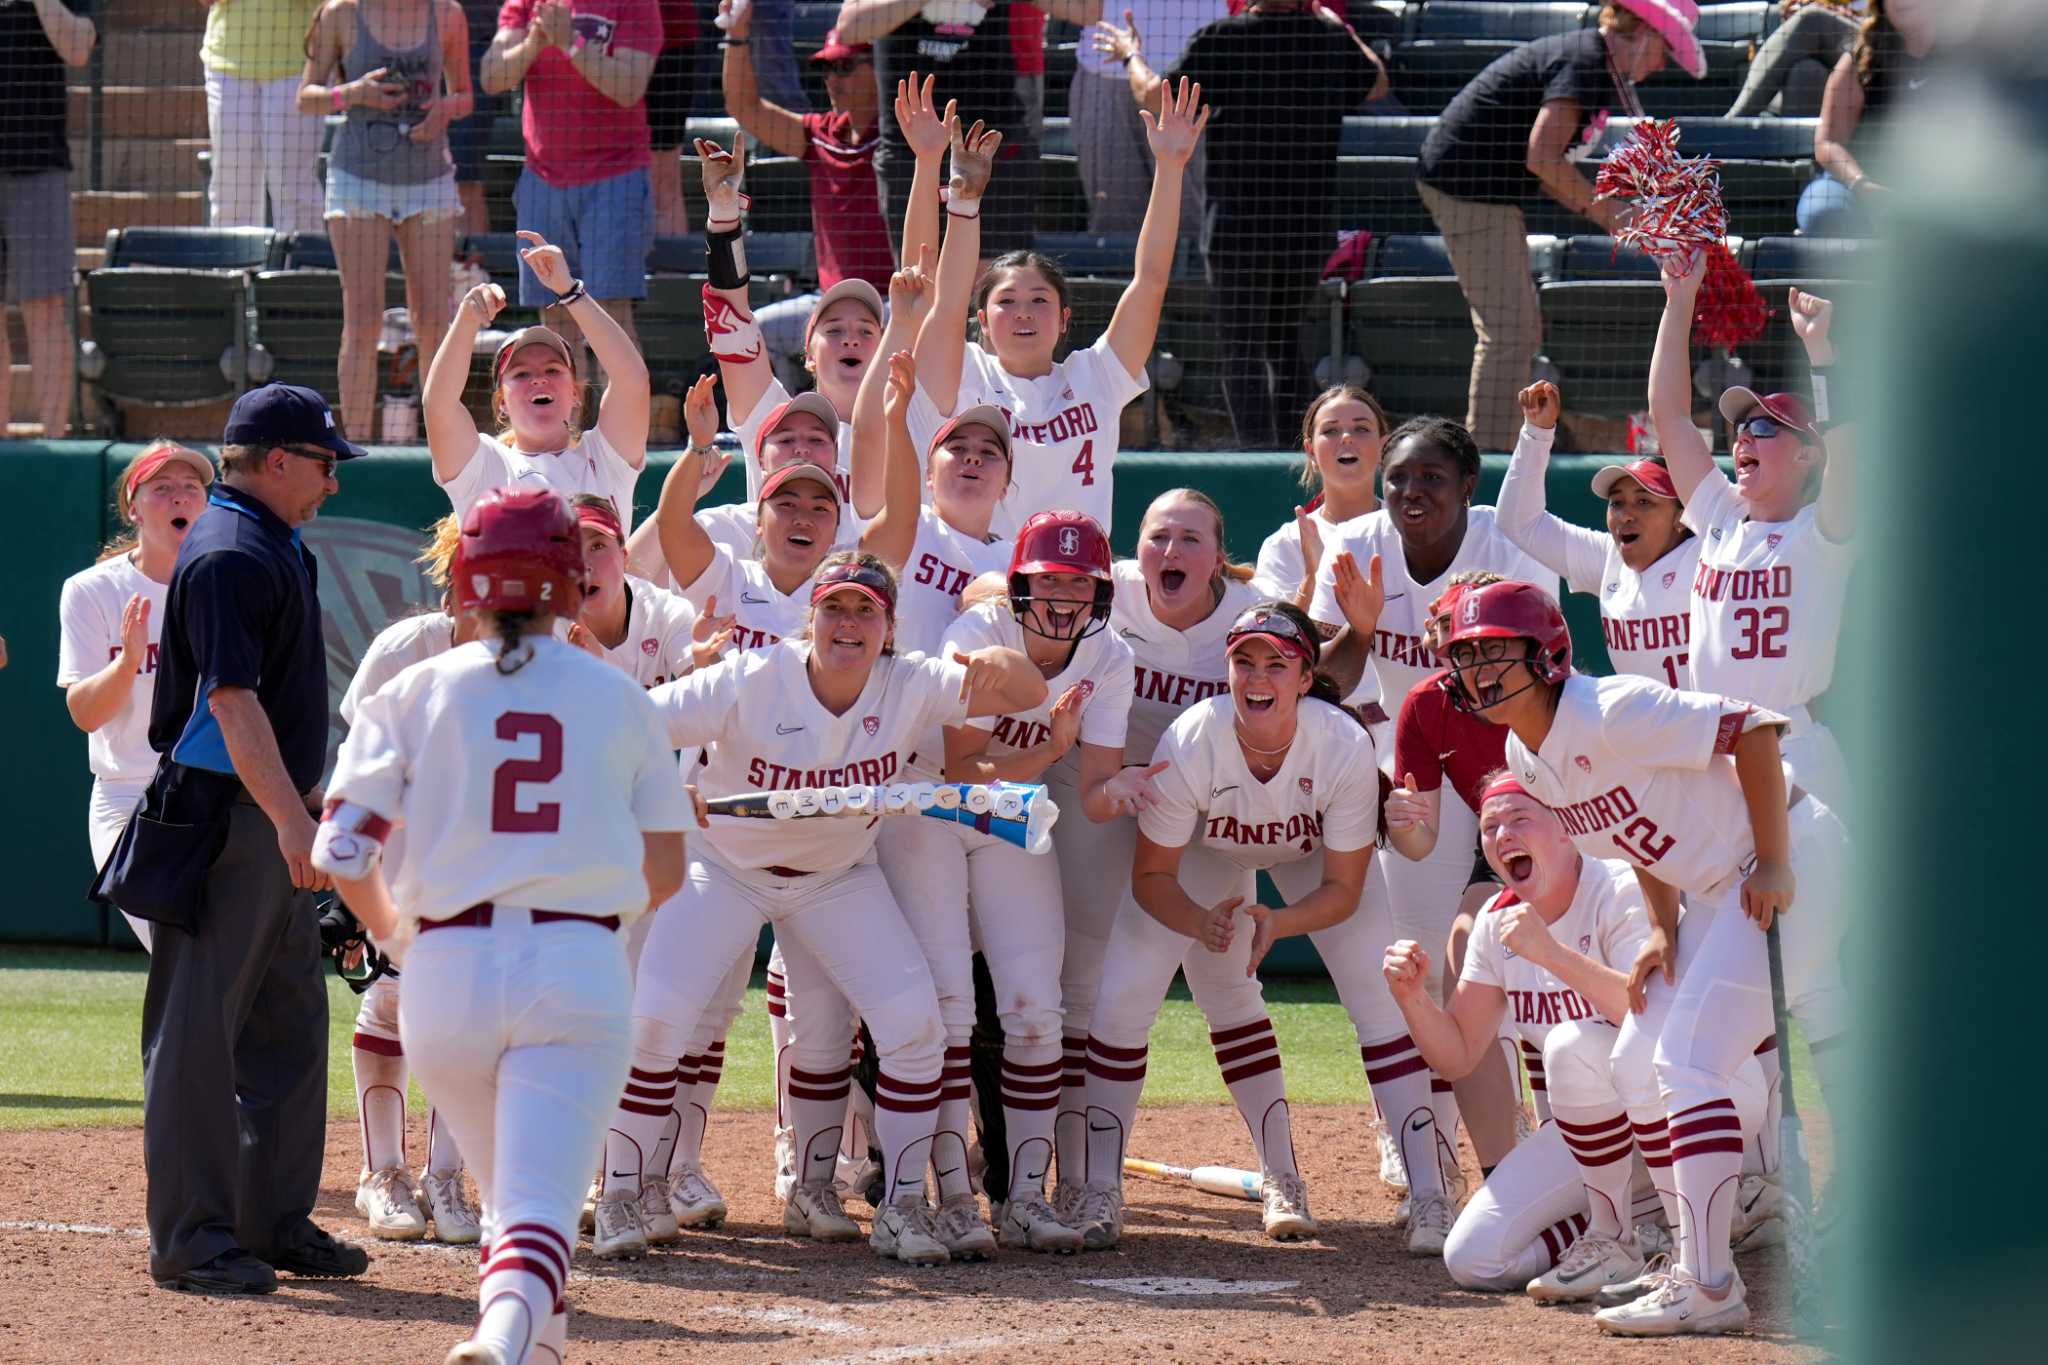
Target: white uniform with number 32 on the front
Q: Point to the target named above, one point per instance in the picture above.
(1766, 613)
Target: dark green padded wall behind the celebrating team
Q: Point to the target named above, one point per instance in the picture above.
(366, 541)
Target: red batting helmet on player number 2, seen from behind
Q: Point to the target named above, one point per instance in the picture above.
(519, 554)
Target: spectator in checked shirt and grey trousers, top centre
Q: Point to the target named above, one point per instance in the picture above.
(1109, 138)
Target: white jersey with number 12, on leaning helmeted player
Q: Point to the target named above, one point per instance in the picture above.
(1644, 773)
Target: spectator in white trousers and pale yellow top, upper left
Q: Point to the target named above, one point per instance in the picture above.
(263, 144)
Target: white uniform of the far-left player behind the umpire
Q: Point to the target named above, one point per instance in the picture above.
(120, 754)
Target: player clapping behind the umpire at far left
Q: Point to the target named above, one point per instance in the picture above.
(112, 619)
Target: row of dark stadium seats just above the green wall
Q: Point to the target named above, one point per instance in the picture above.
(196, 314)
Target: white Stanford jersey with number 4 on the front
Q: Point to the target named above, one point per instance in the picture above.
(1064, 429)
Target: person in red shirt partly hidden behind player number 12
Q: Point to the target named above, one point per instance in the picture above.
(1437, 744)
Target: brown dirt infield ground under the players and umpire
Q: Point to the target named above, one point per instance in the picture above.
(77, 1284)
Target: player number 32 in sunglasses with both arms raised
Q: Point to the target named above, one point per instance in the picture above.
(1775, 560)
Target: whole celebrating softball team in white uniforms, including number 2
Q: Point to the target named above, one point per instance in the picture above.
(548, 807)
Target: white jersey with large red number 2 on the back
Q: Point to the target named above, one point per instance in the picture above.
(523, 789)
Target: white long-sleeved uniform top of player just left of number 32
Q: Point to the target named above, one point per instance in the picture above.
(1644, 617)
